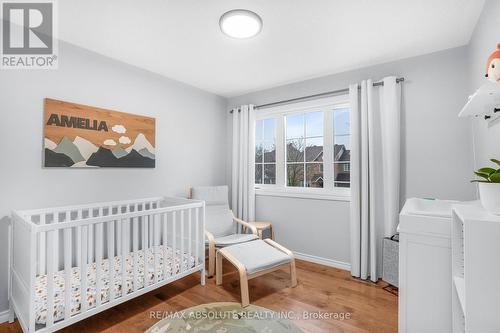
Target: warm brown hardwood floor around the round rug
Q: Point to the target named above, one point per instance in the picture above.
(320, 289)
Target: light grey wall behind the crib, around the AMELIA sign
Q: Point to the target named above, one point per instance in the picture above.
(190, 132)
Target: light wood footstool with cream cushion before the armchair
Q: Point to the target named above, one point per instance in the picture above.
(255, 258)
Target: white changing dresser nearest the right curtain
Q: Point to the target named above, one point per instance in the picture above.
(425, 266)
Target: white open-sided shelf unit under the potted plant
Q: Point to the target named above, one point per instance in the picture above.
(475, 270)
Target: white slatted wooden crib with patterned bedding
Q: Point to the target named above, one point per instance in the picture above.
(161, 239)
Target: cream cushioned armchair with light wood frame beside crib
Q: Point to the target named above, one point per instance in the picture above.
(221, 226)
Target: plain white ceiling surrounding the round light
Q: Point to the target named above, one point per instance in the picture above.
(300, 39)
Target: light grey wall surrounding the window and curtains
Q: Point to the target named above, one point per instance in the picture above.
(436, 148)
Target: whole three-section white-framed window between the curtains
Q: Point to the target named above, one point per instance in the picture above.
(304, 148)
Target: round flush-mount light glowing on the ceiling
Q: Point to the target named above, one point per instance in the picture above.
(240, 23)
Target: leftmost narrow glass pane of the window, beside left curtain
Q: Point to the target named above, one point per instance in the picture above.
(265, 151)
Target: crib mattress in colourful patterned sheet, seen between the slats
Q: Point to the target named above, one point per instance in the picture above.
(173, 267)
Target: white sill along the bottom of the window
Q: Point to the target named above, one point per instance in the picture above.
(316, 194)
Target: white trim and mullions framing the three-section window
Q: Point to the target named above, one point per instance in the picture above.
(329, 192)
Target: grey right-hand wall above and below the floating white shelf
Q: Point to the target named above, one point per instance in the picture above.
(484, 40)
